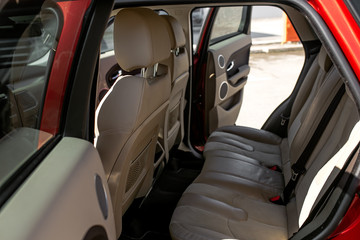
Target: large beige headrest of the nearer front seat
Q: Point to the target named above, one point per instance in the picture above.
(140, 38)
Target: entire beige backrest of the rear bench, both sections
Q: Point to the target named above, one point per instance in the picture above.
(334, 137)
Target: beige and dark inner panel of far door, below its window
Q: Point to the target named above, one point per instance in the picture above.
(226, 73)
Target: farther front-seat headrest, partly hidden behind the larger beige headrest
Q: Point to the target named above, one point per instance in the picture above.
(176, 32)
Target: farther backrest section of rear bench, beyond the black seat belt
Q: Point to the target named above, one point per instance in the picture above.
(309, 105)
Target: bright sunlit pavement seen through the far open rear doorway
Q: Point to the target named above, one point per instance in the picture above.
(272, 78)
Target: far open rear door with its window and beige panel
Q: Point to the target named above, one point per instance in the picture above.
(223, 52)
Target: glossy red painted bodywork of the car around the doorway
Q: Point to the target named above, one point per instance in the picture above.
(335, 14)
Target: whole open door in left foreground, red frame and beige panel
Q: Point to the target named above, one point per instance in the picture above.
(52, 181)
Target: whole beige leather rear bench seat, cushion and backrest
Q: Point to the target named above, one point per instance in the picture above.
(230, 198)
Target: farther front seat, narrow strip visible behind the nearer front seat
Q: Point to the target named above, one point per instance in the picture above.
(173, 130)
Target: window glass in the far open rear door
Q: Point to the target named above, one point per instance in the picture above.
(227, 22)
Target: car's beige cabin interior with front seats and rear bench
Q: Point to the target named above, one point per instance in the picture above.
(161, 183)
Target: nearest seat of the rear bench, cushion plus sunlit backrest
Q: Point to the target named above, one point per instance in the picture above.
(220, 205)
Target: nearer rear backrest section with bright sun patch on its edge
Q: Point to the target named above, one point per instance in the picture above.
(334, 146)
